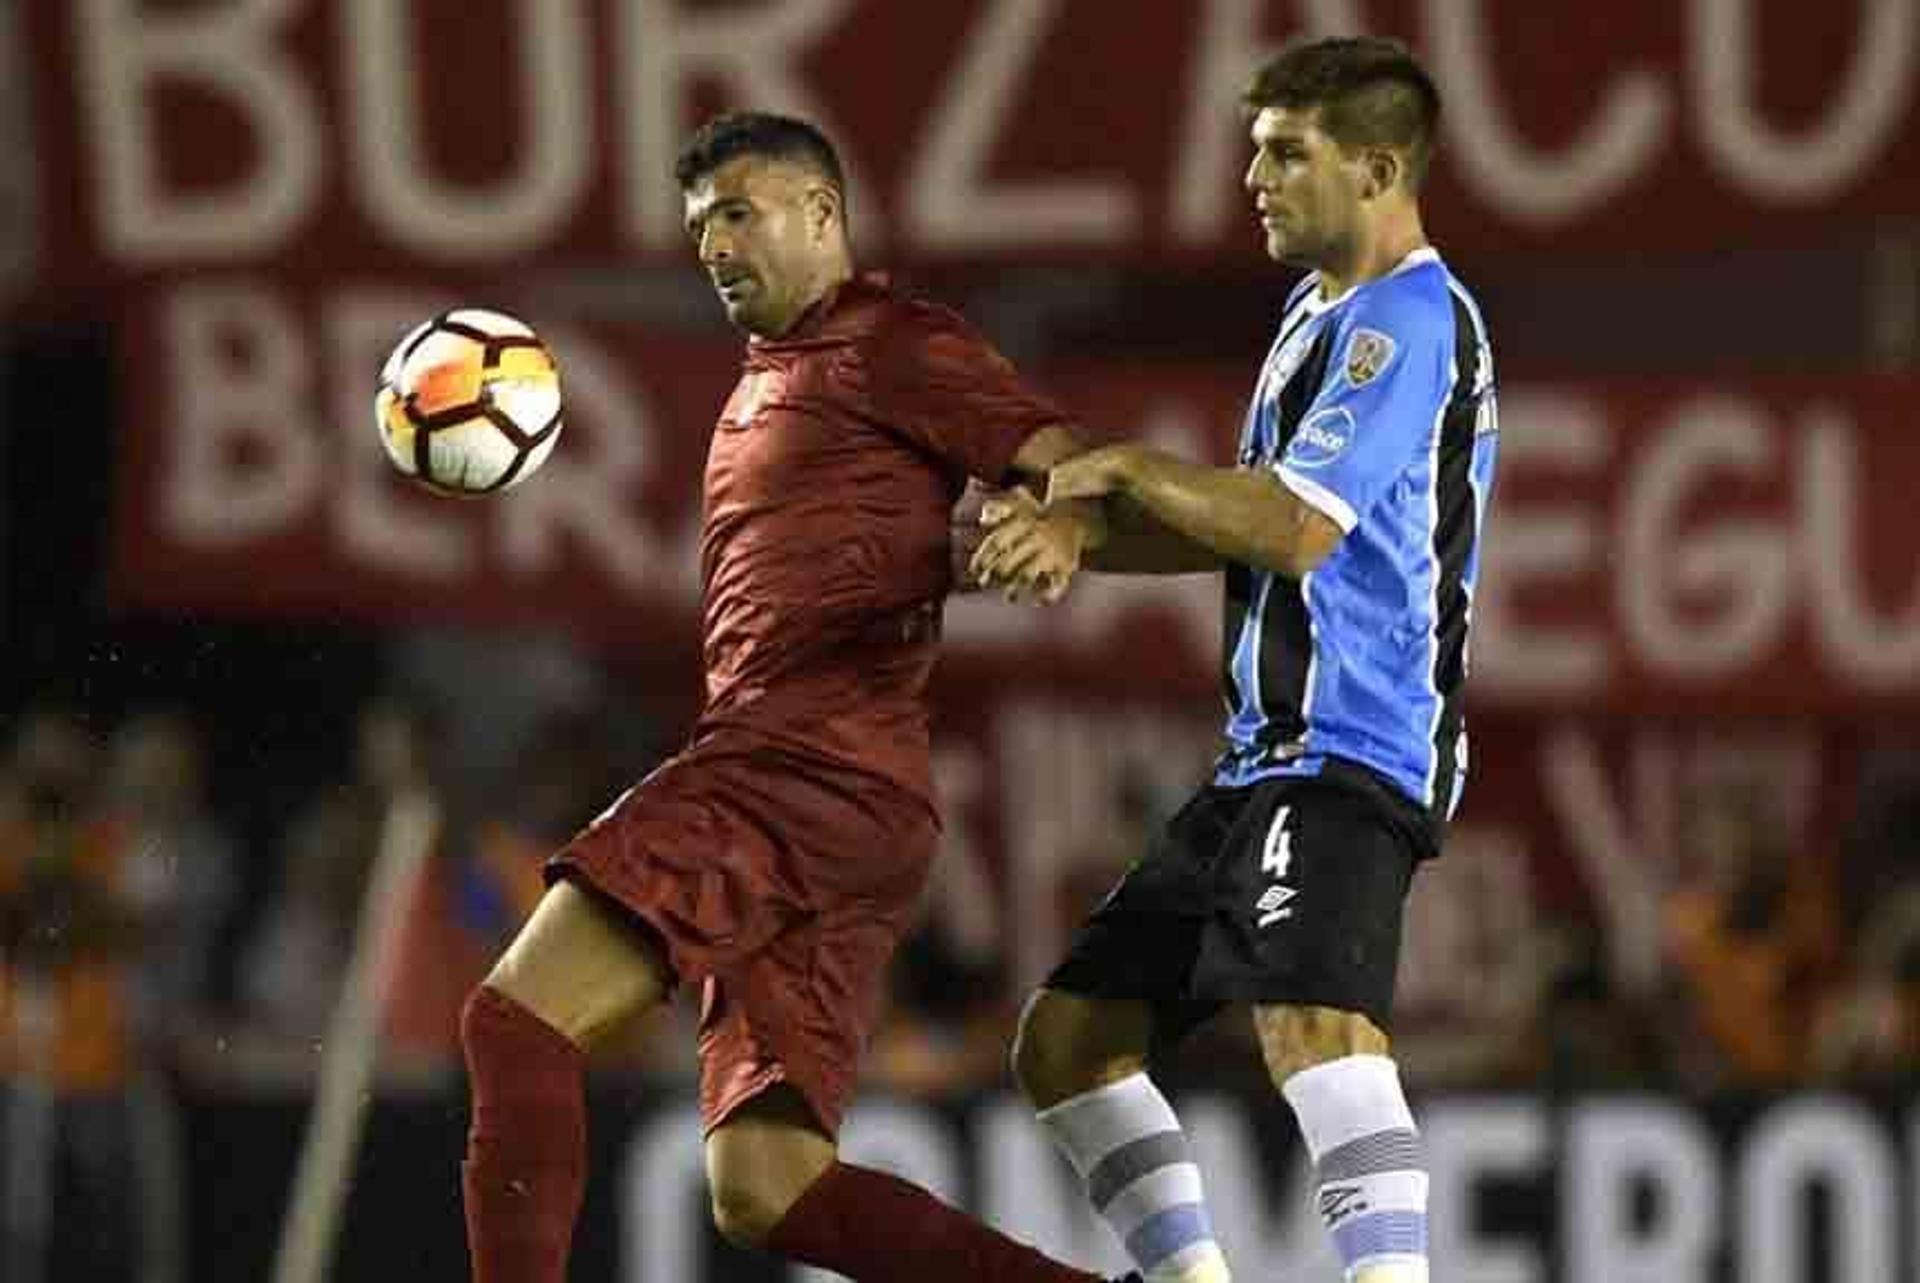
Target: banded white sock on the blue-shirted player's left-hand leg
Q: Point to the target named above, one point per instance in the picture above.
(1141, 1178)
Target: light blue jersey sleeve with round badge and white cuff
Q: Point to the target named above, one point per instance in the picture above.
(1378, 410)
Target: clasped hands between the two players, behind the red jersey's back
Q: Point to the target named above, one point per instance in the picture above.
(1034, 548)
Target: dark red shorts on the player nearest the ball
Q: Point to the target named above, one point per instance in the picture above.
(779, 884)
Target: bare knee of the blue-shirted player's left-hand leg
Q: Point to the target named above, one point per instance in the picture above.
(1070, 1044)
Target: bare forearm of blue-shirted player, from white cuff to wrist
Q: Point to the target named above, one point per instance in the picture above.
(1236, 514)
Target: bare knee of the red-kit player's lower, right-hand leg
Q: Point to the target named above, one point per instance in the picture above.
(761, 1159)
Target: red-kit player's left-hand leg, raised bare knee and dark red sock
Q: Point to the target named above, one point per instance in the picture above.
(571, 975)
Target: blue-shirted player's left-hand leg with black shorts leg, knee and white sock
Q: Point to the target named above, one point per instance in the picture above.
(1086, 1040)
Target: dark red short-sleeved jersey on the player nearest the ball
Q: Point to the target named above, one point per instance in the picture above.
(825, 552)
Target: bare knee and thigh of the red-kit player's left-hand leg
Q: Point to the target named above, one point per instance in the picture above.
(579, 967)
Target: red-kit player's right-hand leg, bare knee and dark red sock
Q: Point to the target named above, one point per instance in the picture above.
(779, 1184)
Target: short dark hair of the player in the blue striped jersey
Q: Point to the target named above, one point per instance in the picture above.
(1370, 93)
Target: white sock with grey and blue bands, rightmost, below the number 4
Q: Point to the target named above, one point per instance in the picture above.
(1368, 1171)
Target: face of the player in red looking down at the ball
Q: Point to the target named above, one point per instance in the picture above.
(767, 235)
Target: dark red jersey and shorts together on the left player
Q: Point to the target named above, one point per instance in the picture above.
(780, 858)
